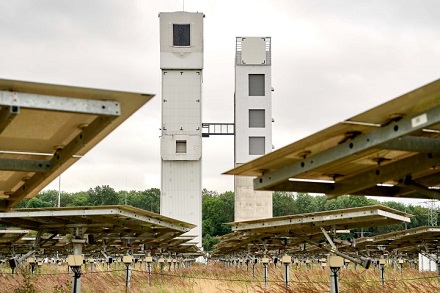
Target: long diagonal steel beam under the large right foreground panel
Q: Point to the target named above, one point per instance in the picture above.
(357, 145)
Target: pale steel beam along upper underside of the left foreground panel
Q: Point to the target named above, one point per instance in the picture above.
(63, 104)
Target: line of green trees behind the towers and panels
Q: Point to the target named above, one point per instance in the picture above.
(218, 208)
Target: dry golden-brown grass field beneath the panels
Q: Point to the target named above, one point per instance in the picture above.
(217, 278)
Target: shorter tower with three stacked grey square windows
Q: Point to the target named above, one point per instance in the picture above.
(253, 122)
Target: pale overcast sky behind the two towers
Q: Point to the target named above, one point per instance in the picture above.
(331, 60)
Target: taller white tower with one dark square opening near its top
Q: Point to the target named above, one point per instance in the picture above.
(181, 62)
